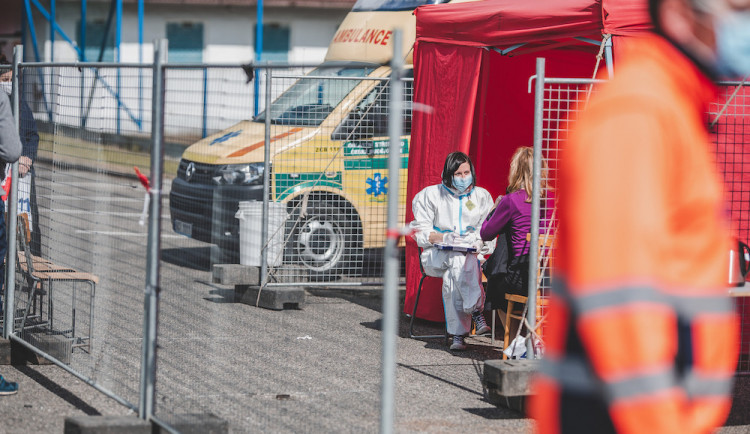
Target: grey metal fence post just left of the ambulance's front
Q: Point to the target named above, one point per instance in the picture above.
(151, 299)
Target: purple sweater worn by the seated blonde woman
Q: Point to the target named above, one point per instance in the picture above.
(512, 210)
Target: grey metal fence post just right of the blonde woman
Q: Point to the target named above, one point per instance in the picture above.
(535, 206)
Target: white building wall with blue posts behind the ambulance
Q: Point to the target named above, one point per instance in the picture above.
(194, 106)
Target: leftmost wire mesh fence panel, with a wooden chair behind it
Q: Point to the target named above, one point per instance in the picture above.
(80, 277)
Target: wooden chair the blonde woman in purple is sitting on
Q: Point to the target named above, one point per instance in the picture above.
(516, 302)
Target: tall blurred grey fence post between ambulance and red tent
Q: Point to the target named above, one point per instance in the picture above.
(391, 272)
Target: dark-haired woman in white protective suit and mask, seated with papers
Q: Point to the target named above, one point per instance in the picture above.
(452, 213)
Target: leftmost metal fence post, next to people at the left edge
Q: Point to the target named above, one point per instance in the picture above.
(10, 264)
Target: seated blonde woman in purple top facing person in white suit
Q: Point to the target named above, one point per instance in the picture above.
(511, 218)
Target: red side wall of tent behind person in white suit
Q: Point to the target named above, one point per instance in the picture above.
(446, 84)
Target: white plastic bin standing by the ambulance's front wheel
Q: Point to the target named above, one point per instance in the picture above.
(250, 215)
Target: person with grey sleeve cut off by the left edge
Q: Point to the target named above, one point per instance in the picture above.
(10, 151)
